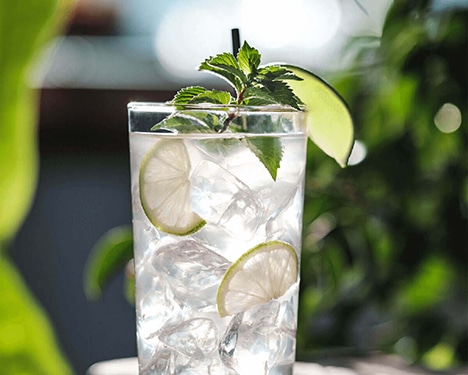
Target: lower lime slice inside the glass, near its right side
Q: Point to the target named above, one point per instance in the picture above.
(263, 273)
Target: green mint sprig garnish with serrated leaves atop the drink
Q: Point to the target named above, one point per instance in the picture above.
(253, 86)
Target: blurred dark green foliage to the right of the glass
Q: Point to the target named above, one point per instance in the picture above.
(384, 261)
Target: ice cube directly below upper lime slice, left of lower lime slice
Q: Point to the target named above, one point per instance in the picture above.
(193, 272)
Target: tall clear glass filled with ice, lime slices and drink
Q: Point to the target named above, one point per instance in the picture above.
(234, 204)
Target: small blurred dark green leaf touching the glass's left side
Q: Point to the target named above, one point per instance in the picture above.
(113, 250)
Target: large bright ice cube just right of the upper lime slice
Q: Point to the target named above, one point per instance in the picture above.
(221, 198)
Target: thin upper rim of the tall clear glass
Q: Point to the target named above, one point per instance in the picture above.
(154, 106)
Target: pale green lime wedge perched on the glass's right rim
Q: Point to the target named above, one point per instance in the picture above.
(329, 122)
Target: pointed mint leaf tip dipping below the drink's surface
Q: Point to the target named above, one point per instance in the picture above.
(268, 150)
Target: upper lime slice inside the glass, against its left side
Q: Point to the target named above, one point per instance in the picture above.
(165, 189)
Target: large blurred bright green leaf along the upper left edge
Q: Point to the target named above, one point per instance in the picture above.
(20, 45)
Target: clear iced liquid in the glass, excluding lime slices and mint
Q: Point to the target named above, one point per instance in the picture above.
(178, 327)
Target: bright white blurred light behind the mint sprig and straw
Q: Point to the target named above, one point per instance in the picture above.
(303, 32)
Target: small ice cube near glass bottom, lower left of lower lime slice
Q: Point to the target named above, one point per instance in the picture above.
(196, 338)
